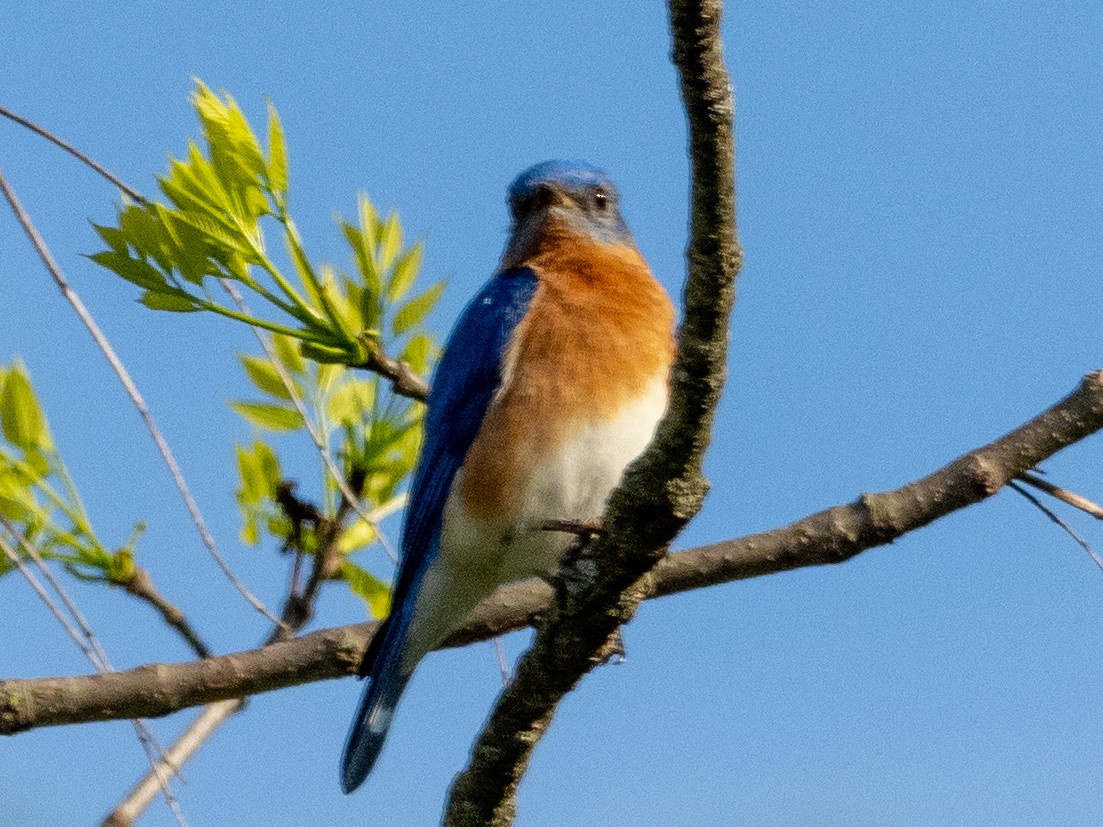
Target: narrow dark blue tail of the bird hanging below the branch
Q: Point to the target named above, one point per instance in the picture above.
(385, 684)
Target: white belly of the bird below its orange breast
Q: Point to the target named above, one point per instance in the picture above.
(573, 484)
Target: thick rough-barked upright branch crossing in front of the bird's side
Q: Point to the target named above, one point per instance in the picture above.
(602, 589)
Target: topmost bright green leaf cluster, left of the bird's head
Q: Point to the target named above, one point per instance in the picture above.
(212, 227)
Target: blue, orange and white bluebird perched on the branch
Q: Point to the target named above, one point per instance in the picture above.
(551, 384)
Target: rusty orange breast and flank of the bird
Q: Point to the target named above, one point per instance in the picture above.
(598, 335)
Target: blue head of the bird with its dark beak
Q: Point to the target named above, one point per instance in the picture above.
(574, 194)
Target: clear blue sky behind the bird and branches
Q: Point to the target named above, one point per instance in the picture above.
(920, 203)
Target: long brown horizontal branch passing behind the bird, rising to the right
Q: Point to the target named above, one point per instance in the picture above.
(830, 536)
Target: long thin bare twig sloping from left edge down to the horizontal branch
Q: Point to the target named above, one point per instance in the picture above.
(133, 392)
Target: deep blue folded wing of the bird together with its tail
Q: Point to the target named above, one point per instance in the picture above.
(467, 378)
